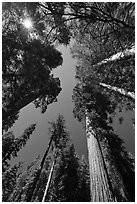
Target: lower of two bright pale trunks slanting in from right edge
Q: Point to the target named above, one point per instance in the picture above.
(130, 95)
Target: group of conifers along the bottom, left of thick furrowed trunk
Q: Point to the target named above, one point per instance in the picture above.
(59, 176)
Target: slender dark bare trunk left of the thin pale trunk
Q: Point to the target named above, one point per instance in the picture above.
(39, 171)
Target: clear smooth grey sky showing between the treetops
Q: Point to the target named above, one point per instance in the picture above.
(39, 139)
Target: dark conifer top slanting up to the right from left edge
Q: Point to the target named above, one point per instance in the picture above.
(11, 145)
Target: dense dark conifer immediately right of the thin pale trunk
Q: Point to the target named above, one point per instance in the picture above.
(66, 177)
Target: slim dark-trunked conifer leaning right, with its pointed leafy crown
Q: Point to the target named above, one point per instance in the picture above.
(58, 137)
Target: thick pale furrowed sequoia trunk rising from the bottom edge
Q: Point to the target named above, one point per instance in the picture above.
(100, 185)
